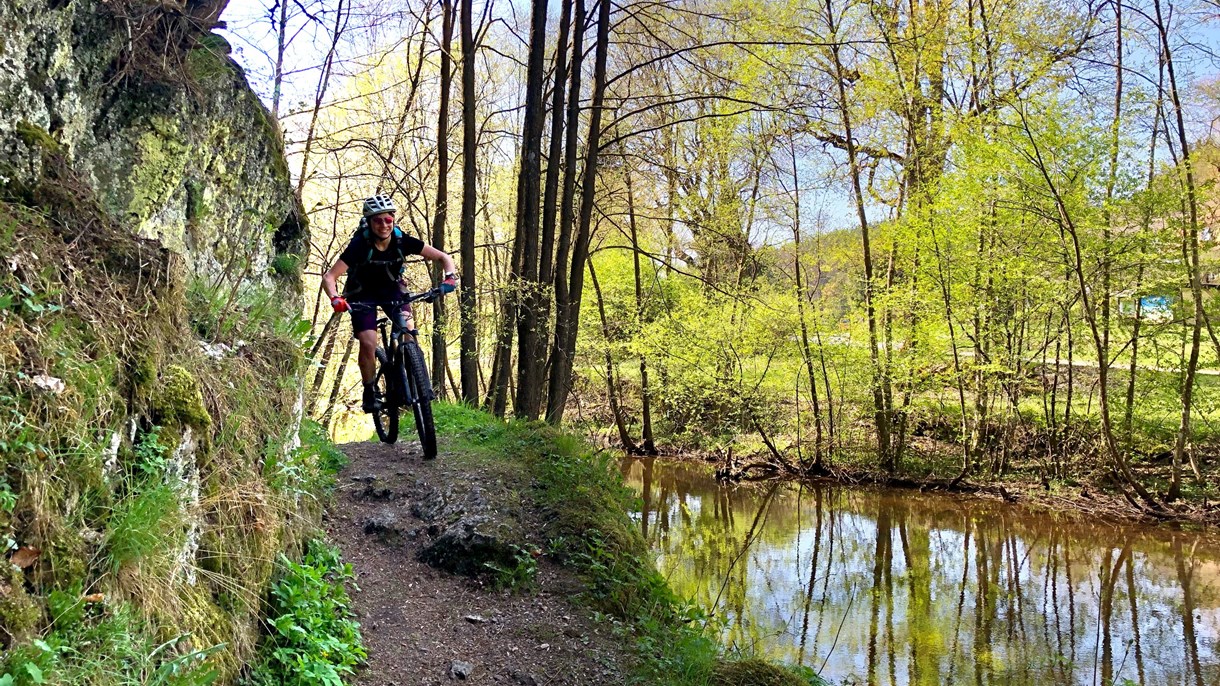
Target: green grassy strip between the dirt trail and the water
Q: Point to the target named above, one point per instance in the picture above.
(585, 505)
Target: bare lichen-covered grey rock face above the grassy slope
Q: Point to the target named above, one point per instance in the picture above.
(163, 125)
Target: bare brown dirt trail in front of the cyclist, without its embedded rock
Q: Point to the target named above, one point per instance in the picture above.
(423, 626)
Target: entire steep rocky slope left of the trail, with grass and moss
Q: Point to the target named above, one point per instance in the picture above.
(148, 362)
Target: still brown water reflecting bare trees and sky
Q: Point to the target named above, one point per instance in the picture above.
(894, 588)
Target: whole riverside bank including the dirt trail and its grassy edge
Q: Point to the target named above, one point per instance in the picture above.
(513, 560)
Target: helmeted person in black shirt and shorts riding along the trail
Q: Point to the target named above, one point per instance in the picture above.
(374, 263)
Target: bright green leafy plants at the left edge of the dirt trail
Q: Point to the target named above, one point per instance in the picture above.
(314, 638)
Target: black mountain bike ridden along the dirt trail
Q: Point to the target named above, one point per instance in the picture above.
(403, 378)
